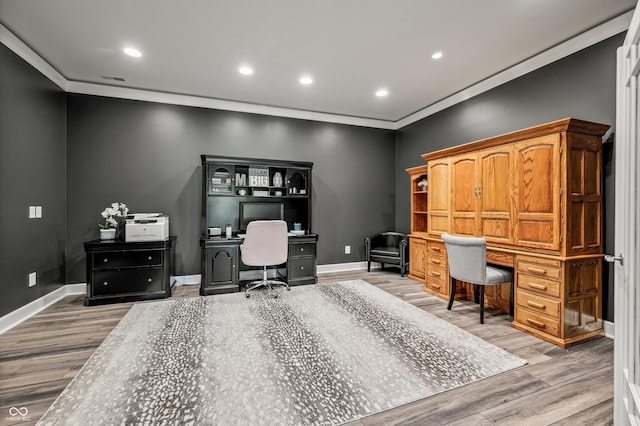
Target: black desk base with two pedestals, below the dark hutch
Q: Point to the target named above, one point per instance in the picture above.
(224, 272)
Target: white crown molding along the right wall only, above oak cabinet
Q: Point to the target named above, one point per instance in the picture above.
(595, 35)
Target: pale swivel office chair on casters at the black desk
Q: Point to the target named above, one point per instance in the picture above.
(266, 243)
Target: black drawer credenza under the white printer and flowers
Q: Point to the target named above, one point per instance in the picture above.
(119, 271)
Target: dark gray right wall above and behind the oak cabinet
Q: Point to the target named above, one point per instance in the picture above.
(581, 85)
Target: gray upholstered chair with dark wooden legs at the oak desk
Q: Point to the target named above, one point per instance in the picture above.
(468, 262)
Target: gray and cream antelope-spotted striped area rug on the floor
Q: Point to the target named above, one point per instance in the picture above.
(319, 354)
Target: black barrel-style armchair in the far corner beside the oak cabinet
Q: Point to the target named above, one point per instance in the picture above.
(390, 248)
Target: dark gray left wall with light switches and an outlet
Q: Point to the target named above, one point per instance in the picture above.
(32, 170)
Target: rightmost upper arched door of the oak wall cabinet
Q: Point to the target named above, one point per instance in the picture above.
(537, 192)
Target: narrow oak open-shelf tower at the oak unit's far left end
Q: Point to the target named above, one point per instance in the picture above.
(417, 243)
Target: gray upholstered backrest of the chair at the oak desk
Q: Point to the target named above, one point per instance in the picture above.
(467, 258)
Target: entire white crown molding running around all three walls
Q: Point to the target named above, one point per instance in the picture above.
(573, 45)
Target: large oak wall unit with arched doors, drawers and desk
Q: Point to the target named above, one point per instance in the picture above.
(535, 195)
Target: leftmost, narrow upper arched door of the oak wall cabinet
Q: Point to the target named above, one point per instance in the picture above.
(438, 197)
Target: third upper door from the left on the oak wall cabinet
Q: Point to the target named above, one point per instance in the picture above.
(496, 201)
